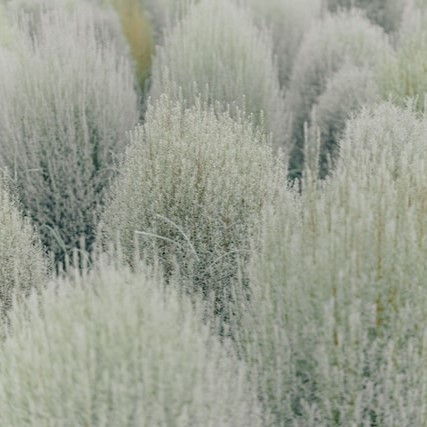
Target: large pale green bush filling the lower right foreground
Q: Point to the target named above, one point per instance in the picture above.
(338, 287)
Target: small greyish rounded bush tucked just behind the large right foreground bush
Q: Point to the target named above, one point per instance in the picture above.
(346, 91)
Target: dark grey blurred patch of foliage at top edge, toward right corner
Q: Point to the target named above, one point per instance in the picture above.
(386, 13)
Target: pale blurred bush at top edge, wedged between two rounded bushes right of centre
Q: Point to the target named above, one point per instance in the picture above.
(288, 21)
